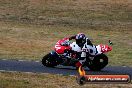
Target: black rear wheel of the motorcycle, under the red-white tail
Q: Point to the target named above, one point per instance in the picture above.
(98, 63)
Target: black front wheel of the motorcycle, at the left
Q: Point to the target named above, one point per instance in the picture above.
(49, 61)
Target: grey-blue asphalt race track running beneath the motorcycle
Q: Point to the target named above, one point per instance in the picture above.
(37, 67)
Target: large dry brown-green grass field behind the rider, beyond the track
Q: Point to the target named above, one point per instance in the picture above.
(29, 28)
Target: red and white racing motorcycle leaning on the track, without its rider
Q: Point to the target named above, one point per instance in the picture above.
(96, 58)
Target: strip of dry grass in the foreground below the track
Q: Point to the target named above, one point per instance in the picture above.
(39, 80)
